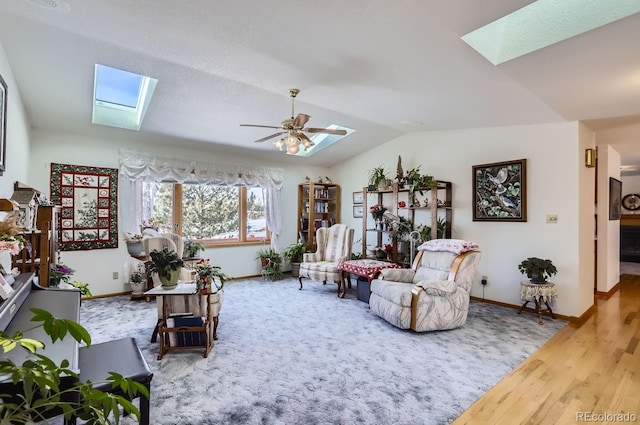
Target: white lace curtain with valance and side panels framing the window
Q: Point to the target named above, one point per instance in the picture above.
(138, 167)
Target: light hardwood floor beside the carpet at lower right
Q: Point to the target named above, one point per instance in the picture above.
(586, 369)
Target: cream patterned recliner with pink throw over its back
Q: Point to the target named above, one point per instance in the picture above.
(434, 293)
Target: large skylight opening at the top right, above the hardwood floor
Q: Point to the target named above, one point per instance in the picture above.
(543, 23)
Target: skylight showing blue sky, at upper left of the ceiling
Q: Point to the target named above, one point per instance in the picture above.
(120, 98)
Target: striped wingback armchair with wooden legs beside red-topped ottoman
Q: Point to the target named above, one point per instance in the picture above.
(333, 247)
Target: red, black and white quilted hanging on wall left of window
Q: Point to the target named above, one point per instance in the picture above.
(88, 197)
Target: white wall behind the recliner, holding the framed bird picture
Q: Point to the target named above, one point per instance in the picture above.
(555, 169)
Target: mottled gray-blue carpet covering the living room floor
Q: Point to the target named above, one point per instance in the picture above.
(286, 356)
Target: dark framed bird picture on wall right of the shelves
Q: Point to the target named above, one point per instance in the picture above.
(499, 191)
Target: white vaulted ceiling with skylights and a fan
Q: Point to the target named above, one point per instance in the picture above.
(363, 64)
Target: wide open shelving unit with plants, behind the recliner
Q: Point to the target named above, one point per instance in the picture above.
(439, 206)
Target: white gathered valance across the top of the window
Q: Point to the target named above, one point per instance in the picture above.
(144, 166)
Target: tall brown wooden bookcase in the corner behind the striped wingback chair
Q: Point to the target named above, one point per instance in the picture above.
(318, 206)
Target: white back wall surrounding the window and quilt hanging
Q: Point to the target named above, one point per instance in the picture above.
(97, 266)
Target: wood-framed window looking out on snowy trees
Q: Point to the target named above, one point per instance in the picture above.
(209, 213)
